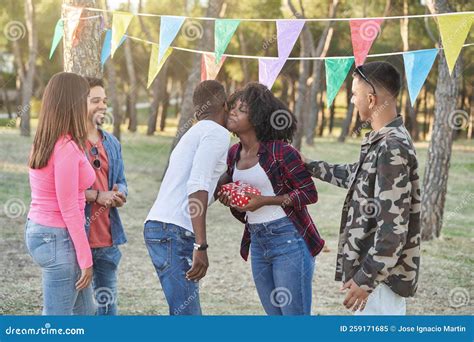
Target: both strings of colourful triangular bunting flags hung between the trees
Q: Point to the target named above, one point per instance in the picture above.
(453, 28)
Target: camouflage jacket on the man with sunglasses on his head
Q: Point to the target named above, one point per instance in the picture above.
(379, 237)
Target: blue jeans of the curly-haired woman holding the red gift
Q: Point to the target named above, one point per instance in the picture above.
(282, 267)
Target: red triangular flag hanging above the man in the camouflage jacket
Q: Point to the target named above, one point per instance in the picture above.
(363, 34)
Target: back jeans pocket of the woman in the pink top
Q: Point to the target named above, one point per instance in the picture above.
(42, 248)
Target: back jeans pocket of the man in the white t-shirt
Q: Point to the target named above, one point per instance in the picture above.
(159, 247)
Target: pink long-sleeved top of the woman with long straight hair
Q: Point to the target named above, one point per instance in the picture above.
(58, 194)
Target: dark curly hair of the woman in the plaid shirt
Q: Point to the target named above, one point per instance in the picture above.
(271, 118)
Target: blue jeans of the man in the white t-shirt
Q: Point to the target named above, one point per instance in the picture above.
(171, 251)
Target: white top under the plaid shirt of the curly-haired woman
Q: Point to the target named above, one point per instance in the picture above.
(257, 177)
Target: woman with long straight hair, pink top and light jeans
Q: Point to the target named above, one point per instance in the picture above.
(59, 174)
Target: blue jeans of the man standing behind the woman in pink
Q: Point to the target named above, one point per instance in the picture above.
(104, 283)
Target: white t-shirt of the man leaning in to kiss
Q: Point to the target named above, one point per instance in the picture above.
(196, 163)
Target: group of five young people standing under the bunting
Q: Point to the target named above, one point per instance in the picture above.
(76, 172)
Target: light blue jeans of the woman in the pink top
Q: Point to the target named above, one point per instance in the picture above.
(52, 249)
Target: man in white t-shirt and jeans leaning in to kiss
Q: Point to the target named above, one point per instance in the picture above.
(175, 228)
